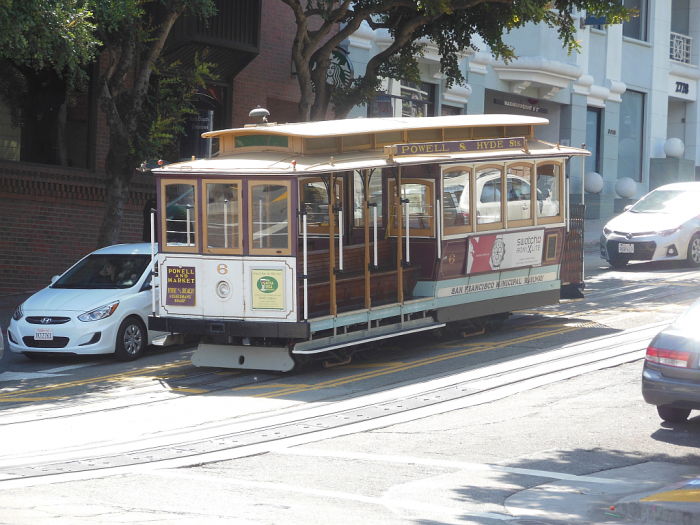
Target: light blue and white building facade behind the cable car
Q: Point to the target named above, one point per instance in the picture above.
(631, 88)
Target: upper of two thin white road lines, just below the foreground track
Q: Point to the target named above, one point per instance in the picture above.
(407, 460)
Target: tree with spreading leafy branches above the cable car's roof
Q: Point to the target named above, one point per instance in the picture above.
(450, 24)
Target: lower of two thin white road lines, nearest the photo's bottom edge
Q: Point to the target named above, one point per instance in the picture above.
(390, 503)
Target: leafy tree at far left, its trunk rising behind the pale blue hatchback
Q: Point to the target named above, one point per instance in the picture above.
(58, 39)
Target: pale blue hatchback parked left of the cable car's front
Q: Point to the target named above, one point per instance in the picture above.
(99, 306)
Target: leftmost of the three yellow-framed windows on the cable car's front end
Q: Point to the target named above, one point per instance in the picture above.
(179, 229)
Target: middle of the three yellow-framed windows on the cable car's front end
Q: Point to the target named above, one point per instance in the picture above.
(222, 228)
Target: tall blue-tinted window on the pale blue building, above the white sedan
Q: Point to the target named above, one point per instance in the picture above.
(630, 137)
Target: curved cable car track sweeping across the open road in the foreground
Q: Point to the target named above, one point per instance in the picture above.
(286, 428)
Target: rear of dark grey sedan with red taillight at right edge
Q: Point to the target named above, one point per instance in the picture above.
(671, 376)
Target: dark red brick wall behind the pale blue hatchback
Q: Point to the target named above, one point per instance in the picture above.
(51, 217)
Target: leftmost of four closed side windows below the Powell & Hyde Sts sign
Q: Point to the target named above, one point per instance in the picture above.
(456, 201)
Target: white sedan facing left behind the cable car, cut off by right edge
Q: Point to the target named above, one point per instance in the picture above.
(662, 225)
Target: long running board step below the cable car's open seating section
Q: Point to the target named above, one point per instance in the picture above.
(325, 344)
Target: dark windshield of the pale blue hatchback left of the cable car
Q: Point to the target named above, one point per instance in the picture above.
(104, 271)
